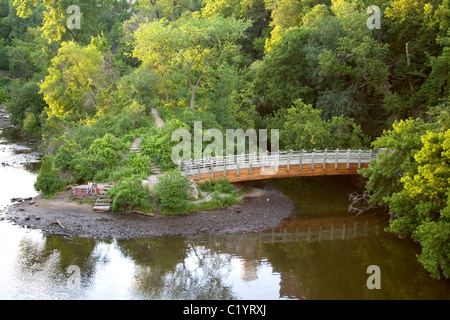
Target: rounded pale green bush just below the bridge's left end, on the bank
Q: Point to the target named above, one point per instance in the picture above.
(173, 192)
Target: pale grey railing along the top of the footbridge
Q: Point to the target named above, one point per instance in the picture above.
(282, 158)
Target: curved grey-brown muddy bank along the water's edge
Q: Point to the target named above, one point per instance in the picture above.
(261, 209)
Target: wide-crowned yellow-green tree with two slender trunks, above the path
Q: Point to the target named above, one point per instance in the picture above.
(191, 45)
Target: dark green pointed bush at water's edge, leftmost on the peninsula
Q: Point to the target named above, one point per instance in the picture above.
(48, 180)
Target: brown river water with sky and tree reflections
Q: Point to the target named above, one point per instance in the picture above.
(323, 252)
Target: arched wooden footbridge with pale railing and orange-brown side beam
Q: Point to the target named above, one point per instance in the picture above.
(256, 166)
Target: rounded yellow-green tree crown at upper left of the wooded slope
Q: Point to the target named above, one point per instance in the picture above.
(79, 82)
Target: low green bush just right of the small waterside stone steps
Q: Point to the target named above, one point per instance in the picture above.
(129, 194)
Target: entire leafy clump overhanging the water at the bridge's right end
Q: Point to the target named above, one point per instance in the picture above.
(411, 177)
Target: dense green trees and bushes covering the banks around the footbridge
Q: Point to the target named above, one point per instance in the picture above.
(312, 69)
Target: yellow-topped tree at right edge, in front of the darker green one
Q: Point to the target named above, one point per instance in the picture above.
(422, 208)
